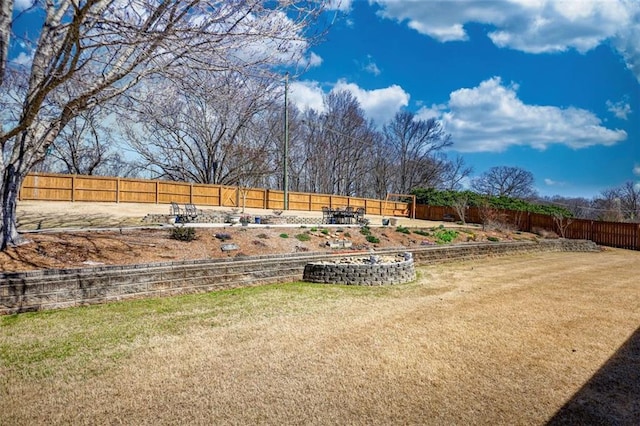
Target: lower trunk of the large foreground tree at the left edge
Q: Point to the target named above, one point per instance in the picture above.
(11, 183)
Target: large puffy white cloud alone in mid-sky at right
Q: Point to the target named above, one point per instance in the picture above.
(491, 118)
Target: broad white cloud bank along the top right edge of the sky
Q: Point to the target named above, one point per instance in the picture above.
(533, 26)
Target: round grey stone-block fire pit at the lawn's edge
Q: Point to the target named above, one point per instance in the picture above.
(369, 270)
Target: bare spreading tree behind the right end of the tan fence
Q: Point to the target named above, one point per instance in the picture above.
(415, 144)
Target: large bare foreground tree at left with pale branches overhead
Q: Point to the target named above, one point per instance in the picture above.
(92, 52)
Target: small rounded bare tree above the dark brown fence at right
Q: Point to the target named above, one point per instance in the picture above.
(505, 181)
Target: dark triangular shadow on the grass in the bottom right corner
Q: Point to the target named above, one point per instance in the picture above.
(611, 396)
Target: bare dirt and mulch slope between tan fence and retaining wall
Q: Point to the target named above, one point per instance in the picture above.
(75, 235)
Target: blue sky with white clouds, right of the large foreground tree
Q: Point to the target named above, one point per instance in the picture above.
(549, 86)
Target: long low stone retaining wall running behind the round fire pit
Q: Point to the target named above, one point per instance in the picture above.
(54, 289)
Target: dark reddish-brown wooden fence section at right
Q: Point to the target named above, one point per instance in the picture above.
(611, 234)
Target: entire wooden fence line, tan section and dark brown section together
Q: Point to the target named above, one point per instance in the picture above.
(58, 187)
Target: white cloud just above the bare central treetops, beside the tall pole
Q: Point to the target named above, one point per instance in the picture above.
(379, 105)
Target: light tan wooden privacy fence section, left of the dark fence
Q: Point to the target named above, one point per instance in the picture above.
(60, 187)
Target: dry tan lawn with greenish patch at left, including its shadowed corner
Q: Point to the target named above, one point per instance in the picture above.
(500, 341)
